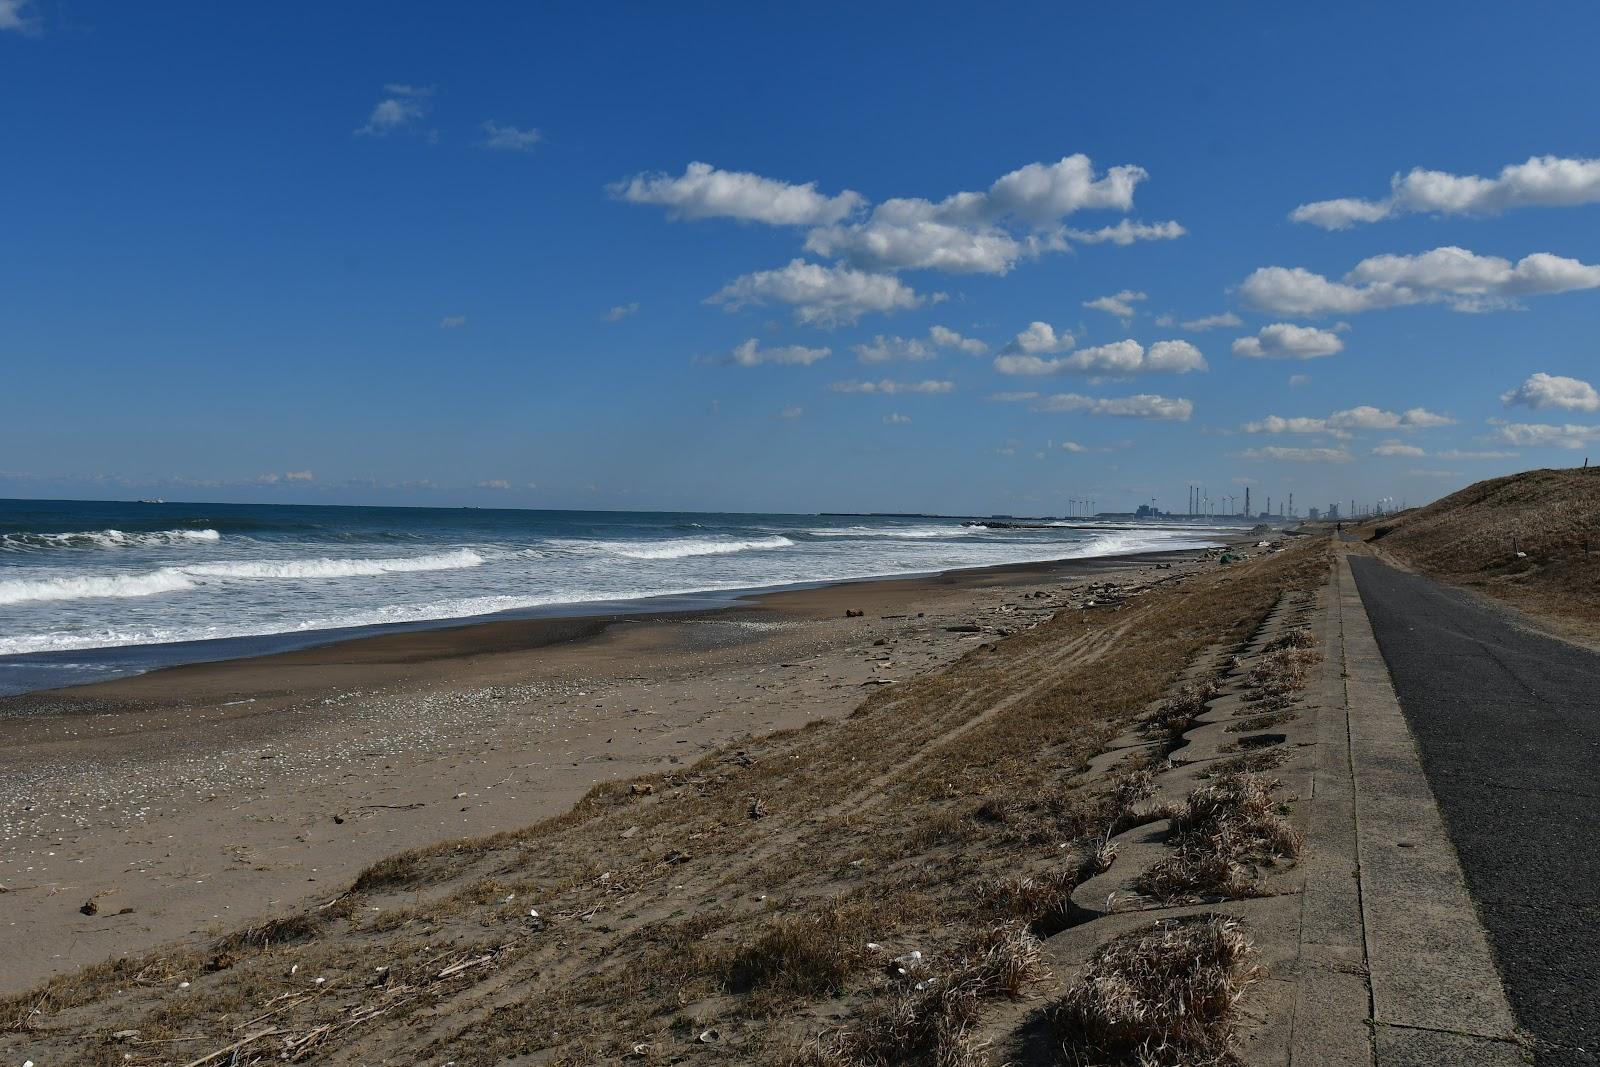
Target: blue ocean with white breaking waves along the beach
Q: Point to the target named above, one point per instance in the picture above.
(95, 589)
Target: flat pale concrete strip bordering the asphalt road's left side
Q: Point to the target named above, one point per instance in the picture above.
(1406, 917)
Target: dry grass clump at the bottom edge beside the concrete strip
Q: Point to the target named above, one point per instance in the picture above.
(1159, 997)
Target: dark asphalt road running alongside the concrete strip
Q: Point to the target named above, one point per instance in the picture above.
(1510, 730)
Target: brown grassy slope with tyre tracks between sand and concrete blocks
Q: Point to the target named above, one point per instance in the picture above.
(734, 898)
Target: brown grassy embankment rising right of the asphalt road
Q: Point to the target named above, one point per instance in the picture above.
(1468, 538)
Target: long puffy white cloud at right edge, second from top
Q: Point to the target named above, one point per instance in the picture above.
(1455, 276)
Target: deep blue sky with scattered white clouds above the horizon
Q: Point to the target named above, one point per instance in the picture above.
(412, 254)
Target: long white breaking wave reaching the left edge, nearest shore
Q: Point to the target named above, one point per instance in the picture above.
(170, 580)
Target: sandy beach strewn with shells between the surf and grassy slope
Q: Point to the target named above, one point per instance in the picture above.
(190, 801)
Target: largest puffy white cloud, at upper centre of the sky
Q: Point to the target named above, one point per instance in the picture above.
(986, 233)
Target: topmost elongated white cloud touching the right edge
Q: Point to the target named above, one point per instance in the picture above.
(1543, 182)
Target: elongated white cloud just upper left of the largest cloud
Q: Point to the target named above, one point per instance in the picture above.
(706, 193)
